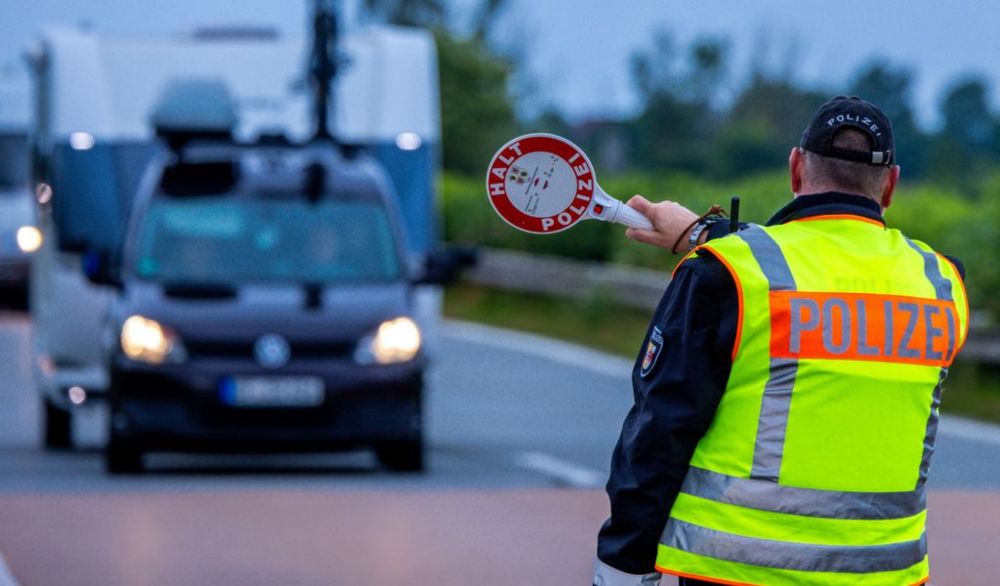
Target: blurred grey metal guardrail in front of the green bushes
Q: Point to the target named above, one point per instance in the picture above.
(630, 286)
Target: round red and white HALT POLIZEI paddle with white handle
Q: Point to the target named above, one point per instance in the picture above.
(544, 184)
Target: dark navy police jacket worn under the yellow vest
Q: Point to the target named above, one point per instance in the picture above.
(679, 387)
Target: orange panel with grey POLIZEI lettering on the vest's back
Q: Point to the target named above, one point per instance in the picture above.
(853, 326)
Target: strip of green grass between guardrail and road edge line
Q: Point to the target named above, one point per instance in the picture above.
(604, 325)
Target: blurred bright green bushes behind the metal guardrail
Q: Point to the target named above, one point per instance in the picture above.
(962, 224)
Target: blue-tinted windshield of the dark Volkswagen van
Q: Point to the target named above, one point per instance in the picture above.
(232, 240)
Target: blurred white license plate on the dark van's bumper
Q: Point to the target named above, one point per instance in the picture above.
(277, 391)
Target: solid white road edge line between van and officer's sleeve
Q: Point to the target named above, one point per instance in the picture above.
(579, 357)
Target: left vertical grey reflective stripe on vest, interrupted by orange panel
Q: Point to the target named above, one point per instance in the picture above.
(773, 421)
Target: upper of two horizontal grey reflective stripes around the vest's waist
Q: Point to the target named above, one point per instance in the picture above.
(765, 495)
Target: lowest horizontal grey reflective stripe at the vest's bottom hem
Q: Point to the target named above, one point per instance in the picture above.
(785, 555)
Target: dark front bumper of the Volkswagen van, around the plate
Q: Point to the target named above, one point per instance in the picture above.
(183, 408)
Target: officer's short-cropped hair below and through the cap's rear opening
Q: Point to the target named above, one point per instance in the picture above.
(849, 176)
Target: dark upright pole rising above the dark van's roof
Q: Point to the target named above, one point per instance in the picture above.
(323, 66)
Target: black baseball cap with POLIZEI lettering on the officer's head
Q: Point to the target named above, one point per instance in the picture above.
(844, 111)
